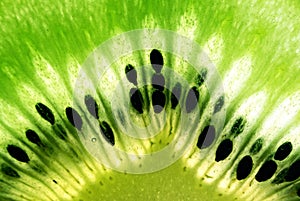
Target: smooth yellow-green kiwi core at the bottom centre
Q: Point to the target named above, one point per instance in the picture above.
(172, 183)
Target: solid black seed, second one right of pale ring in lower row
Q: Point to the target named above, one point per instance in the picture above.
(244, 168)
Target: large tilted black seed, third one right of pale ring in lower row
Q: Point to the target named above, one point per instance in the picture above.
(266, 171)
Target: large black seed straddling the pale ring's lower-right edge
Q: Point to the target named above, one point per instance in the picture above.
(206, 137)
